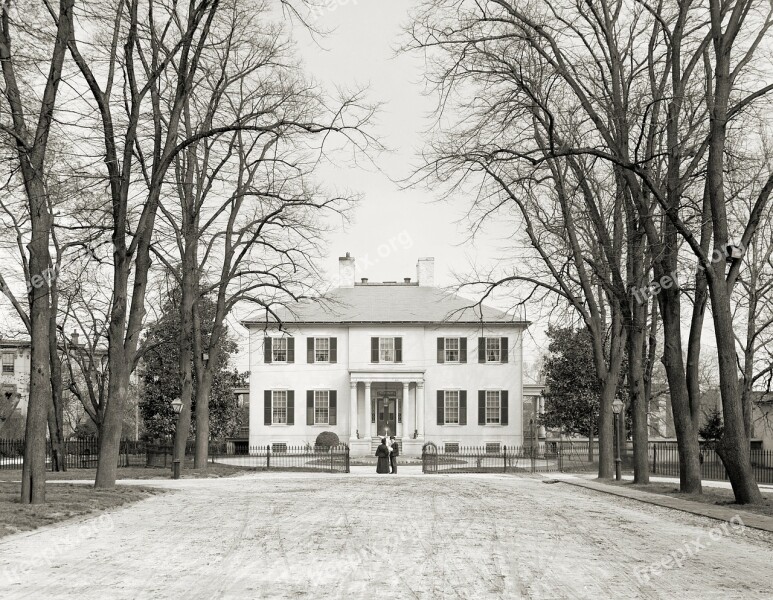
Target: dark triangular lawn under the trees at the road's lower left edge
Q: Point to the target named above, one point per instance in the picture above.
(63, 502)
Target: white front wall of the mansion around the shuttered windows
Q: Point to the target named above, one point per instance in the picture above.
(419, 355)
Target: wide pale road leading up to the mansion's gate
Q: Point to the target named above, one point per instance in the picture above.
(360, 536)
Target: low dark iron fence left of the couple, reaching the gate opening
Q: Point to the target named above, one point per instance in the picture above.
(286, 458)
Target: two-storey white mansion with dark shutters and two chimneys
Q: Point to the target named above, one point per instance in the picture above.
(405, 359)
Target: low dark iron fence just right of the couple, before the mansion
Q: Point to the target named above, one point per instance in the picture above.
(538, 458)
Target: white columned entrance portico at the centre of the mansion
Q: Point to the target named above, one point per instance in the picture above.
(386, 403)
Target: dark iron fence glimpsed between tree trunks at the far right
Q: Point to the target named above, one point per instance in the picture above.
(664, 461)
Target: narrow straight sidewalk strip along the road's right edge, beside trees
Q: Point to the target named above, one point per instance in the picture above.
(720, 513)
